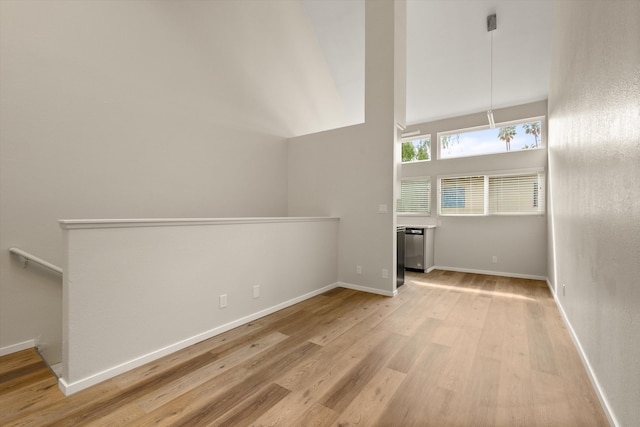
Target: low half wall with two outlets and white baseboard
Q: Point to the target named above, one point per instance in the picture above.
(136, 291)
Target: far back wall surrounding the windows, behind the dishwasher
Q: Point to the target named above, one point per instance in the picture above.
(469, 243)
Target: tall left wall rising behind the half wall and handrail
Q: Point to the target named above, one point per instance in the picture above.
(143, 109)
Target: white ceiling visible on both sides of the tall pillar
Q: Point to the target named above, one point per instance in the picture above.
(448, 54)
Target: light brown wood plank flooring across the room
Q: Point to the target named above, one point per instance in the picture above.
(452, 349)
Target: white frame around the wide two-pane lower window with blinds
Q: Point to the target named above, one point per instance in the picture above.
(539, 195)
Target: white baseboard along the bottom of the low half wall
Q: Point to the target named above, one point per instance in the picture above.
(70, 388)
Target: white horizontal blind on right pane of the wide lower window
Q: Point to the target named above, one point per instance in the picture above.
(518, 194)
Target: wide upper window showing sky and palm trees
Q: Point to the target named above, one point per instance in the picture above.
(506, 137)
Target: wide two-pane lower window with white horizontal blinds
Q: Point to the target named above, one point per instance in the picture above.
(509, 194)
